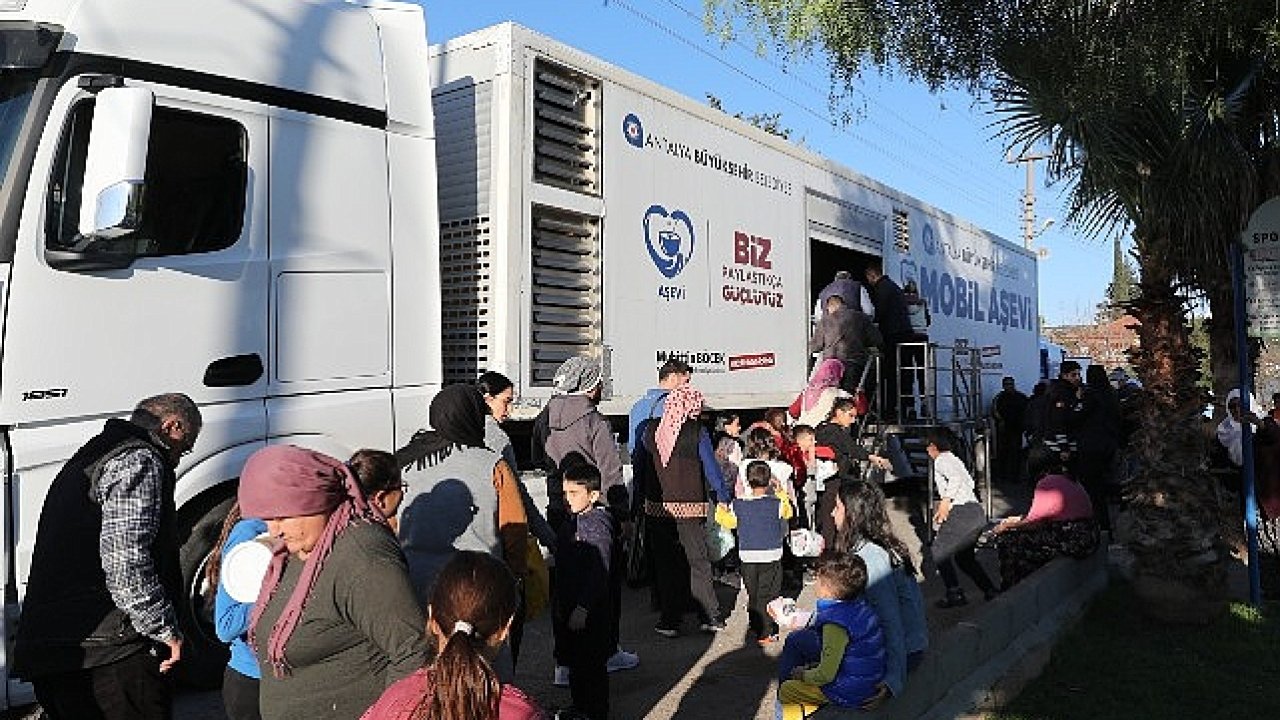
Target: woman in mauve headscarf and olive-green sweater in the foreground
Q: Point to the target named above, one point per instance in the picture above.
(336, 621)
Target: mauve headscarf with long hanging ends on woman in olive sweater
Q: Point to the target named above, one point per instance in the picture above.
(285, 481)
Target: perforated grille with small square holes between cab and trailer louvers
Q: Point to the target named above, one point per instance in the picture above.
(465, 298)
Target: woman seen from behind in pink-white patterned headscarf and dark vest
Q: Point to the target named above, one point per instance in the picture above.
(680, 463)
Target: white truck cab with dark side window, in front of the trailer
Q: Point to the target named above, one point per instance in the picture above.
(228, 199)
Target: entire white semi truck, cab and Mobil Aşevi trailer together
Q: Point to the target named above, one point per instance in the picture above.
(237, 200)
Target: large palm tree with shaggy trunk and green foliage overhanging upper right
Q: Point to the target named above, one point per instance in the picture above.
(1162, 116)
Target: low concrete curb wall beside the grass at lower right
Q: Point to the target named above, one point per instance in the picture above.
(984, 663)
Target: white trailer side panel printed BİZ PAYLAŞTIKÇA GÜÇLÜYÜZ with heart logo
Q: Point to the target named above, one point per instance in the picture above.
(705, 254)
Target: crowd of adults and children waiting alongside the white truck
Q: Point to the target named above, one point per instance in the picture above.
(397, 585)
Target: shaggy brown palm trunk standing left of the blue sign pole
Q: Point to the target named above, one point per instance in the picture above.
(1172, 525)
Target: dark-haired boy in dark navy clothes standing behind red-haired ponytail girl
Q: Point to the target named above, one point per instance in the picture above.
(584, 593)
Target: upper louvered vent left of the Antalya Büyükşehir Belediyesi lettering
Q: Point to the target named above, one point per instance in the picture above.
(566, 129)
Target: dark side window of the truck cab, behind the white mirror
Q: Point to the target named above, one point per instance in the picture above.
(195, 184)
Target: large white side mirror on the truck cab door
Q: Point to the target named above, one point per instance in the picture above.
(117, 163)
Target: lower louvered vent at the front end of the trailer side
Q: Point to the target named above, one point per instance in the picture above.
(566, 290)
